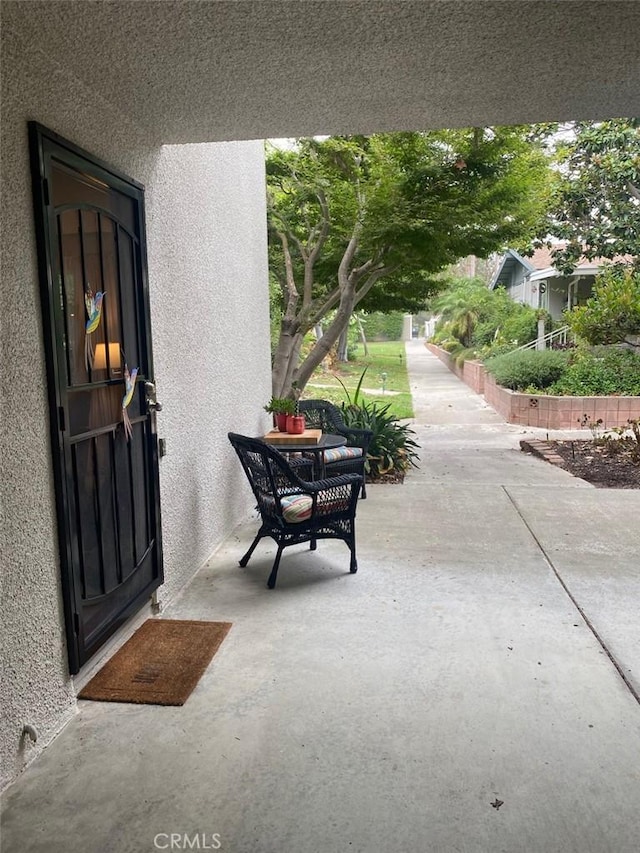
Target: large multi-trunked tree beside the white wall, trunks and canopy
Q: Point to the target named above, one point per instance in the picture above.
(369, 221)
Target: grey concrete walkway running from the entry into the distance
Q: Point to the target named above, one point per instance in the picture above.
(477, 658)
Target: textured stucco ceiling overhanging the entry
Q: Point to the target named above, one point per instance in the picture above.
(209, 70)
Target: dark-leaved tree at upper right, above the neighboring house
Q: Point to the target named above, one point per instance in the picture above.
(595, 209)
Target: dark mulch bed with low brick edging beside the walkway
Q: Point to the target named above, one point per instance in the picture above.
(600, 463)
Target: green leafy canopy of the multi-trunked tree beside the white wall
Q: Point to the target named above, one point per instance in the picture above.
(420, 200)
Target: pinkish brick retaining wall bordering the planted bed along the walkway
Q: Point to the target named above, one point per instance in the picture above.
(541, 410)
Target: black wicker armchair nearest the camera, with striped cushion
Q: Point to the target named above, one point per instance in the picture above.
(294, 510)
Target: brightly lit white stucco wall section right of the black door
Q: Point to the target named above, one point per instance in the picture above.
(210, 321)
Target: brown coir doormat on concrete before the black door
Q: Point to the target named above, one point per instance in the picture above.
(160, 664)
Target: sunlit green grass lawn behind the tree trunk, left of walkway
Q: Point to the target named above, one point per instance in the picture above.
(384, 357)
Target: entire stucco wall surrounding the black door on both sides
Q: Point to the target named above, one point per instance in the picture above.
(208, 284)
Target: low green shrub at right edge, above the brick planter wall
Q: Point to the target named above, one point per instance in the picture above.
(601, 372)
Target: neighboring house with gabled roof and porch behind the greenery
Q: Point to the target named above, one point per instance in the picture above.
(535, 281)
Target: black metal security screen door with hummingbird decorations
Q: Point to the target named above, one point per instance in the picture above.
(90, 223)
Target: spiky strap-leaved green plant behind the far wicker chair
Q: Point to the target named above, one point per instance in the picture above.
(392, 447)
